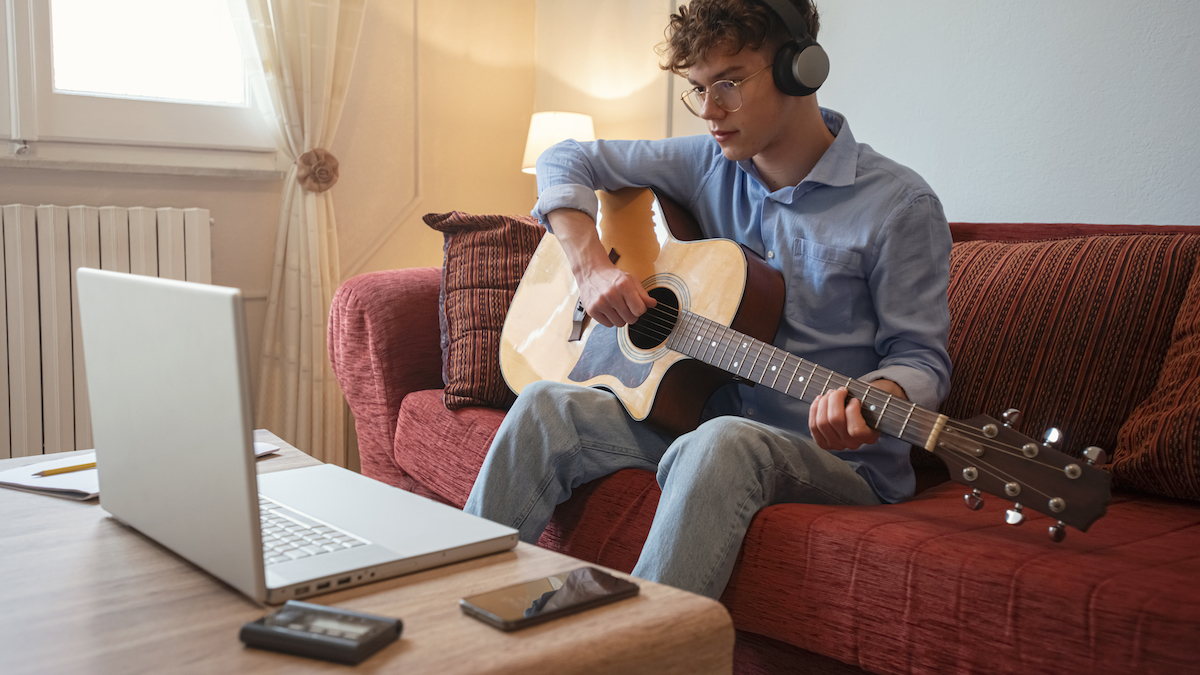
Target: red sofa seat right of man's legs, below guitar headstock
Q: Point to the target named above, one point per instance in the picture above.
(931, 587)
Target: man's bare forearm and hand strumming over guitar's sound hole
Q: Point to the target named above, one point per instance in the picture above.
(610, 296)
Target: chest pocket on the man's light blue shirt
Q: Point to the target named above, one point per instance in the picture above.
(825, 284)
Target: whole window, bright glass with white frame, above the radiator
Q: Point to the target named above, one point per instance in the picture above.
(130, 85)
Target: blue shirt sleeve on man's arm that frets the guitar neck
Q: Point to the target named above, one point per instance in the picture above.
(909, 286)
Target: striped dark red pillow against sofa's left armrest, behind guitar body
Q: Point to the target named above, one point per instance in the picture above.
(485, 259)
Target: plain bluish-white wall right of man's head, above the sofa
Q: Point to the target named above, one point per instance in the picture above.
(1064, 111)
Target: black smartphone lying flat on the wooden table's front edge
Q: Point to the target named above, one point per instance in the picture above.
(521, 606)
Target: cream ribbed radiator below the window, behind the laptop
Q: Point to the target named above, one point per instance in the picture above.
(44, 409)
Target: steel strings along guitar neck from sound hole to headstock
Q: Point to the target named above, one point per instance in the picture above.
(663, 324)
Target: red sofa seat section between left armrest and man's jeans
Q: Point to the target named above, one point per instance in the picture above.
(443, 449)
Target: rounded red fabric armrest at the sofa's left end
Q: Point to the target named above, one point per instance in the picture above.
(385, 343)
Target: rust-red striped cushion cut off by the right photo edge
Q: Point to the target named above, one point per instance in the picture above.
(1159, 450)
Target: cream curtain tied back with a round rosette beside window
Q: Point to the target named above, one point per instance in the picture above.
(308, 52)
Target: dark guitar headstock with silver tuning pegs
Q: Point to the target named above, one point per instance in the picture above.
(991, 457)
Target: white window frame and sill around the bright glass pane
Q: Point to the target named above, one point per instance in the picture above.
(45, 129)
